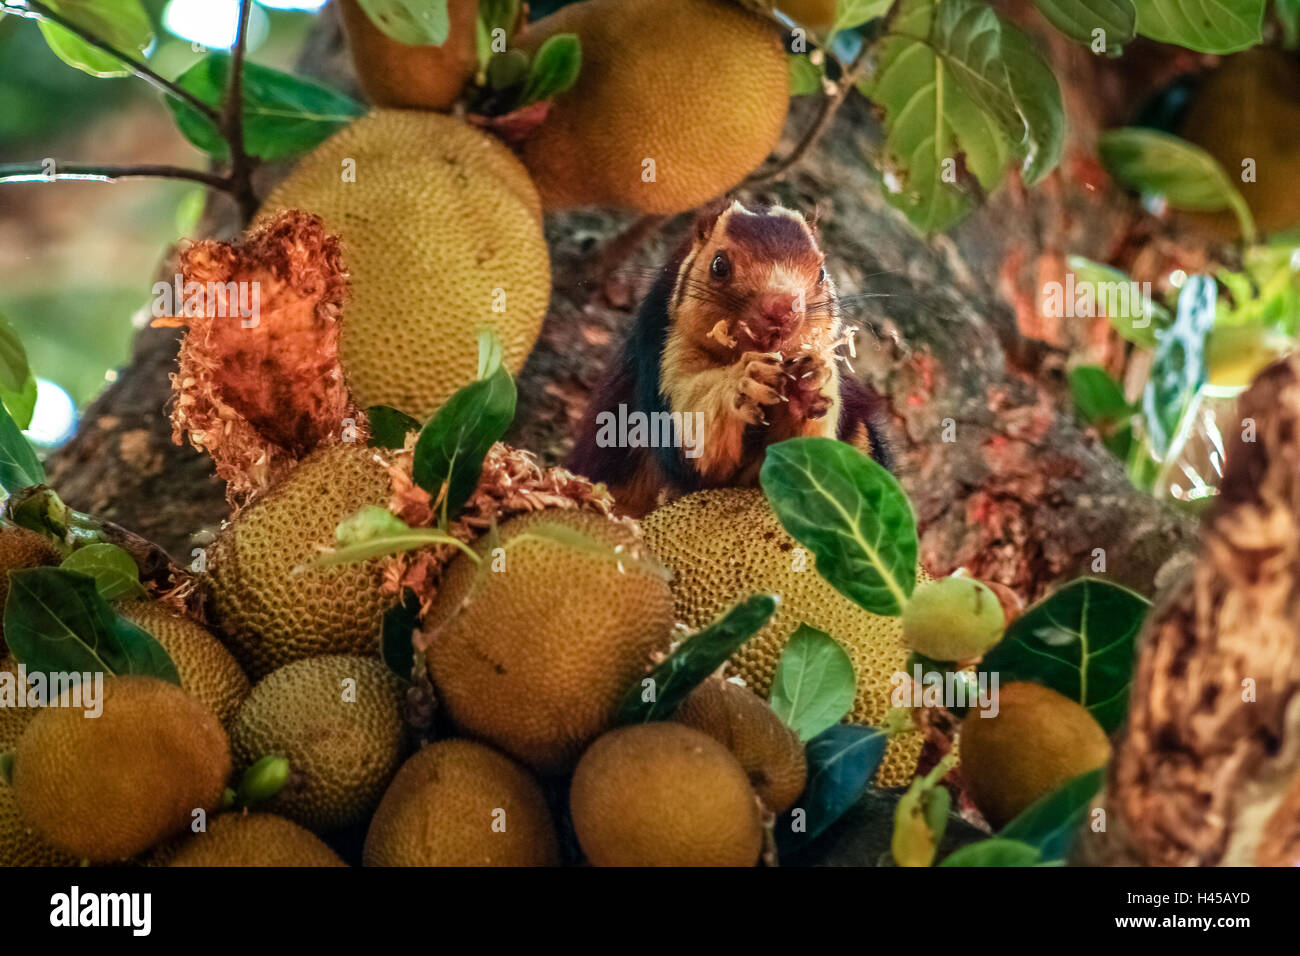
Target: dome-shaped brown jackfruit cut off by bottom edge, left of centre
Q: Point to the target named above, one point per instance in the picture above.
(462, 804)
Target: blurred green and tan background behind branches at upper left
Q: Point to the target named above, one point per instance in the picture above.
(77, 261)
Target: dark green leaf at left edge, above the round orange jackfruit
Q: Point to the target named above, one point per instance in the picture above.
(57, 621)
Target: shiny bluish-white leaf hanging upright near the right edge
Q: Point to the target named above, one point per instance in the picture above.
(1180, 367)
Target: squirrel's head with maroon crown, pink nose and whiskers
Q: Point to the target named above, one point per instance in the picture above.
(756, 280)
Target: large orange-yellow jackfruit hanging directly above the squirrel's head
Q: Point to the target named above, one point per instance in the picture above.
(700, 88)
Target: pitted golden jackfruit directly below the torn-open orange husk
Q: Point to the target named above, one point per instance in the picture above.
(272, 613)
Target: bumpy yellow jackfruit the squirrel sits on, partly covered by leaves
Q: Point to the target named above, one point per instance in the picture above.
(725, 546)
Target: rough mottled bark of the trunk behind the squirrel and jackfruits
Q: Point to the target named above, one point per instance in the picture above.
(1020, 496)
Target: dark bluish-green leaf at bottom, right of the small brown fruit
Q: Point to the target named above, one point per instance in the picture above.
(842, 762)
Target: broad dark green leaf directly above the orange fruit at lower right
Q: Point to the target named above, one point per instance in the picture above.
(1081, 643)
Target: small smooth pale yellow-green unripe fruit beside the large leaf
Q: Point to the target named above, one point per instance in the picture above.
(952, 620)
